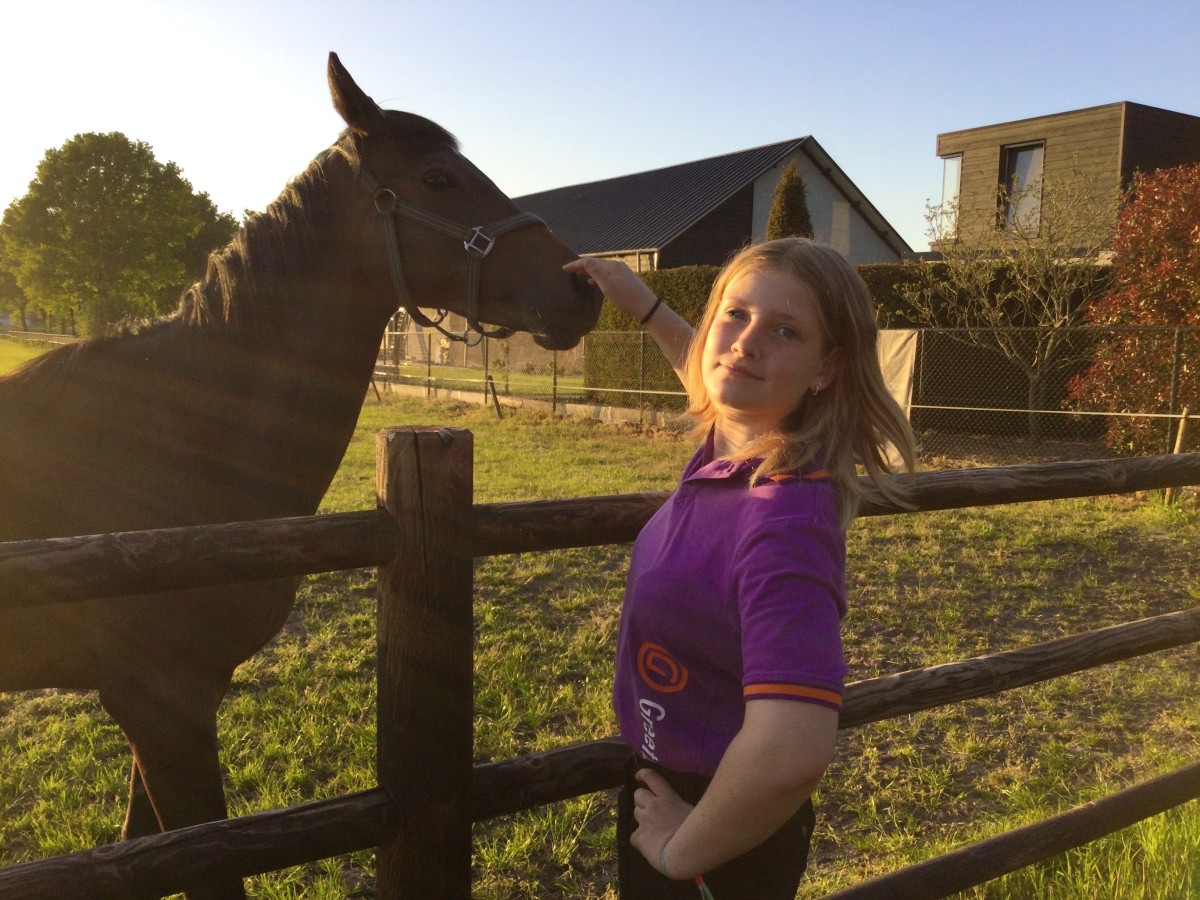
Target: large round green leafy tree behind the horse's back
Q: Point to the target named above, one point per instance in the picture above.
(107, 232)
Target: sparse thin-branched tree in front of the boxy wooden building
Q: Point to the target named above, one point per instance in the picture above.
(1022, 287)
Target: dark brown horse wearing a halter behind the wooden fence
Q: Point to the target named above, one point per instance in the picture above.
(241, 407)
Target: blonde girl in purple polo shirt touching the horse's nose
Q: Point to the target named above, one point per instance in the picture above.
(730, 670)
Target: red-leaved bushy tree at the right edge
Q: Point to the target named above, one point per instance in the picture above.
(1156, 284)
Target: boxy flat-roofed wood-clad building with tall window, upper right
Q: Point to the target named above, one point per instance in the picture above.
(1108, 143)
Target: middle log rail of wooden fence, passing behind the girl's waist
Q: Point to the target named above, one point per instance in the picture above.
(265, 842)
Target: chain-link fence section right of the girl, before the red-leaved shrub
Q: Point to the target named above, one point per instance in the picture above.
(1054, 393)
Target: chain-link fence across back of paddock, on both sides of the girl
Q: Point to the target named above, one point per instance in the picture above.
(995, 395)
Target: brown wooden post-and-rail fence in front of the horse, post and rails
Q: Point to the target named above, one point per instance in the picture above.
(424, 539)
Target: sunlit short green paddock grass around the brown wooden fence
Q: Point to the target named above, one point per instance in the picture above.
(925, 590)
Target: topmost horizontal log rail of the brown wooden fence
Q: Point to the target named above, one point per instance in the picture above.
(58, 569)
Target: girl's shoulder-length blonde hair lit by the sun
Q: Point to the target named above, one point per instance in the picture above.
(853, 421)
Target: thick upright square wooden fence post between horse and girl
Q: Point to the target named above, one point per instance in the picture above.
(425, 635)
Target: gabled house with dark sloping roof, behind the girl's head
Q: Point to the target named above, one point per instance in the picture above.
(700, 213)
